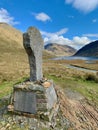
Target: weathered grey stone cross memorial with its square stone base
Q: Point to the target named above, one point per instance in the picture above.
(36, 95)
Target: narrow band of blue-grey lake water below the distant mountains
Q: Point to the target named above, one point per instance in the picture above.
(76, 58)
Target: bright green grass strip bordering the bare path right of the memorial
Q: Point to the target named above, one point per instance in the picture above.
(88, 89)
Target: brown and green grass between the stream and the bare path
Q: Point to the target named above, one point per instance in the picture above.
(82, 82)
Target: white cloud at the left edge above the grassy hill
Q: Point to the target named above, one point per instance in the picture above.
(6, 18)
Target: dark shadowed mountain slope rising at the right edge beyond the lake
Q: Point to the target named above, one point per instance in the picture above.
(90, 49)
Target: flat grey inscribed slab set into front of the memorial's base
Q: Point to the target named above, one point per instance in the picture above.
(25, 102)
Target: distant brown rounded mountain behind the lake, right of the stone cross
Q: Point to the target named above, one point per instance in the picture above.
(60, 50)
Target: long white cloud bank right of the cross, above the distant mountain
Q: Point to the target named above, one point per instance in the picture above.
(57, 37)
